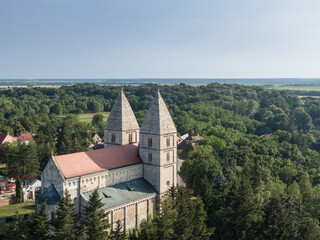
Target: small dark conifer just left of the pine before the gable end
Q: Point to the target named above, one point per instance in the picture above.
(38, 224)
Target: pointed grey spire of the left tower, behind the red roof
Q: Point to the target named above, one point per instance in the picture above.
(121, 117)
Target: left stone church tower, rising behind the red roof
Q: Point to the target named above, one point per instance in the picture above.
(122, 127)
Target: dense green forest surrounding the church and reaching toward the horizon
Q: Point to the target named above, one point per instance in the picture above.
(255, 175)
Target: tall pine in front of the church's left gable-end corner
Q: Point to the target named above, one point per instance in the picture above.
(66, 224)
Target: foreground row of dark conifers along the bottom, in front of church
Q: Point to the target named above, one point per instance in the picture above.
(180, 218)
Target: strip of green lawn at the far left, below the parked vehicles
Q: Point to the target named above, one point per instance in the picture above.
(22, 208)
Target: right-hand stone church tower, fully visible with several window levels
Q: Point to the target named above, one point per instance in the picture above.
(157, 147)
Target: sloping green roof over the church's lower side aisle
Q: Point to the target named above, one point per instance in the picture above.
(123, 192)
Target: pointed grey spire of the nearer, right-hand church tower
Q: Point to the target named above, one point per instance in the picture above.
(158, 119)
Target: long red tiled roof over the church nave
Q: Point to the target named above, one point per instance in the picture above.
(81, 163)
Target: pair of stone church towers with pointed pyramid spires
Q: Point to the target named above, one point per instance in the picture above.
(157, 139)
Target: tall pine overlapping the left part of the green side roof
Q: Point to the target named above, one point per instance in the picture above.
(96, 221)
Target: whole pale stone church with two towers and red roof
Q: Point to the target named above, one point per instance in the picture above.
(135, 167)
